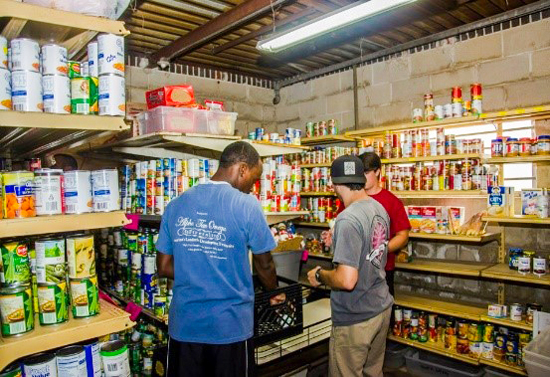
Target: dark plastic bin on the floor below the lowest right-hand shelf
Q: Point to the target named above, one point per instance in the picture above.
(424, 364)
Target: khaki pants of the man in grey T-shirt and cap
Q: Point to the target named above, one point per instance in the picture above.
(358, 350)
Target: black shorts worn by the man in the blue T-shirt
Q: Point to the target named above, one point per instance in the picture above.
(210, 360)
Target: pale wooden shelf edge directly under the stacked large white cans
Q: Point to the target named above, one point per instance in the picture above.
(62, 121)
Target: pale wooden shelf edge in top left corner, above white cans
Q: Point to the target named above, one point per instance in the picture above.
(29, 12)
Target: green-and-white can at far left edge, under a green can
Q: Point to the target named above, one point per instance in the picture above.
(16, 310)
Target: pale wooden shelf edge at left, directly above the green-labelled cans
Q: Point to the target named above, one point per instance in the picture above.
(60, 223)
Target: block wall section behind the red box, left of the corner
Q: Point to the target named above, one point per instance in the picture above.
(254, 104)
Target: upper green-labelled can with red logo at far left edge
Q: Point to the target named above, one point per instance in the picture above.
(15, 259)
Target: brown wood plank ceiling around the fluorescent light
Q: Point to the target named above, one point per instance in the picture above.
(157, 23)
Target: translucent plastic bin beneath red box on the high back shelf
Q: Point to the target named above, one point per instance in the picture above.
(184, 120)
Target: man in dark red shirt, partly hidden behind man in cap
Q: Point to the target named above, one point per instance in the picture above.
(399, 221)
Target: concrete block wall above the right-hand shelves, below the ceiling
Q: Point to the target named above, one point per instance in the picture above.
(512, 66)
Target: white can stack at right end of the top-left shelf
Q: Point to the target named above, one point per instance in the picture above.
(110, 68)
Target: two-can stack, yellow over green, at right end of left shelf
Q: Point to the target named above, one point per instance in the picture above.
(82, 275)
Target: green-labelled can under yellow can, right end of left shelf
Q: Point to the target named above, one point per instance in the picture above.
(84, 297)
